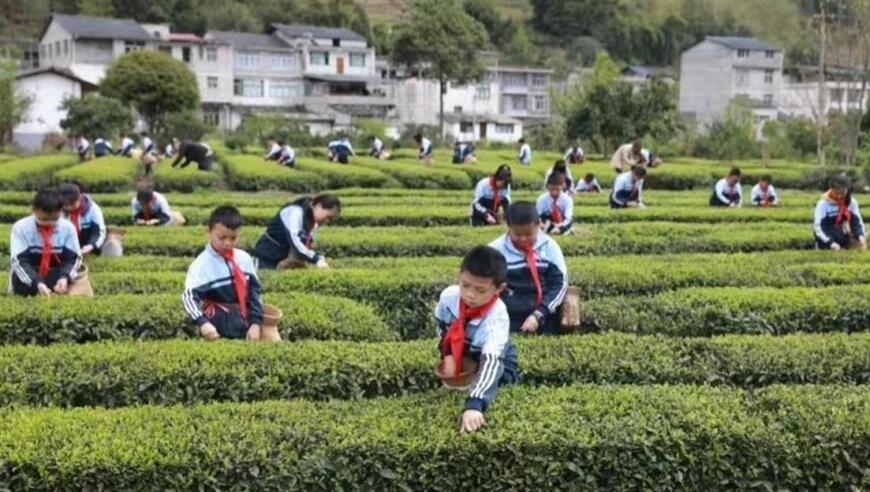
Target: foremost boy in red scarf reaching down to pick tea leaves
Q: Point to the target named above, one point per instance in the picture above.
(474, 327)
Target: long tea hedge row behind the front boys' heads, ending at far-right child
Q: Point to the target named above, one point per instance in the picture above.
(599, 239)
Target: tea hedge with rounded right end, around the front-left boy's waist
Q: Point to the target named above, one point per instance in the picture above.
(111, 317)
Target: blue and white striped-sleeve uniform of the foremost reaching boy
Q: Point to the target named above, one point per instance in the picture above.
(487, 342)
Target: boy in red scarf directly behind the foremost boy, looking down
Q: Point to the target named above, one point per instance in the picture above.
(537, 279)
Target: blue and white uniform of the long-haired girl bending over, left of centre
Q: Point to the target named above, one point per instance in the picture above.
(292, 229)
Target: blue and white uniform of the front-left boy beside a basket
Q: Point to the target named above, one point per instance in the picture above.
(210, 295)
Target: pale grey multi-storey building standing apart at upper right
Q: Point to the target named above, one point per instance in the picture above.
(719, 69)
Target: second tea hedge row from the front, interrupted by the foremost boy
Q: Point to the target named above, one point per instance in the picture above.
(119, 374)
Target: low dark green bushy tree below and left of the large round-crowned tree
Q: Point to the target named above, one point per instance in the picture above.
(95, 116)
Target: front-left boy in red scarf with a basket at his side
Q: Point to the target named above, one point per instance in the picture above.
(222, 291)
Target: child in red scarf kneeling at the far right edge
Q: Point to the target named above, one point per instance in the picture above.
(838, 223)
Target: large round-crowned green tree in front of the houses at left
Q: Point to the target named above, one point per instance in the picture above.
(153, 83)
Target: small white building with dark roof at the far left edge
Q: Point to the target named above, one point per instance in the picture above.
(48, 87)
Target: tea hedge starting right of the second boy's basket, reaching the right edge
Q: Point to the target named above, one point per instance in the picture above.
(717, 311)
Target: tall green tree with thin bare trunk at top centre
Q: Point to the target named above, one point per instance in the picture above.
(443, 41)
